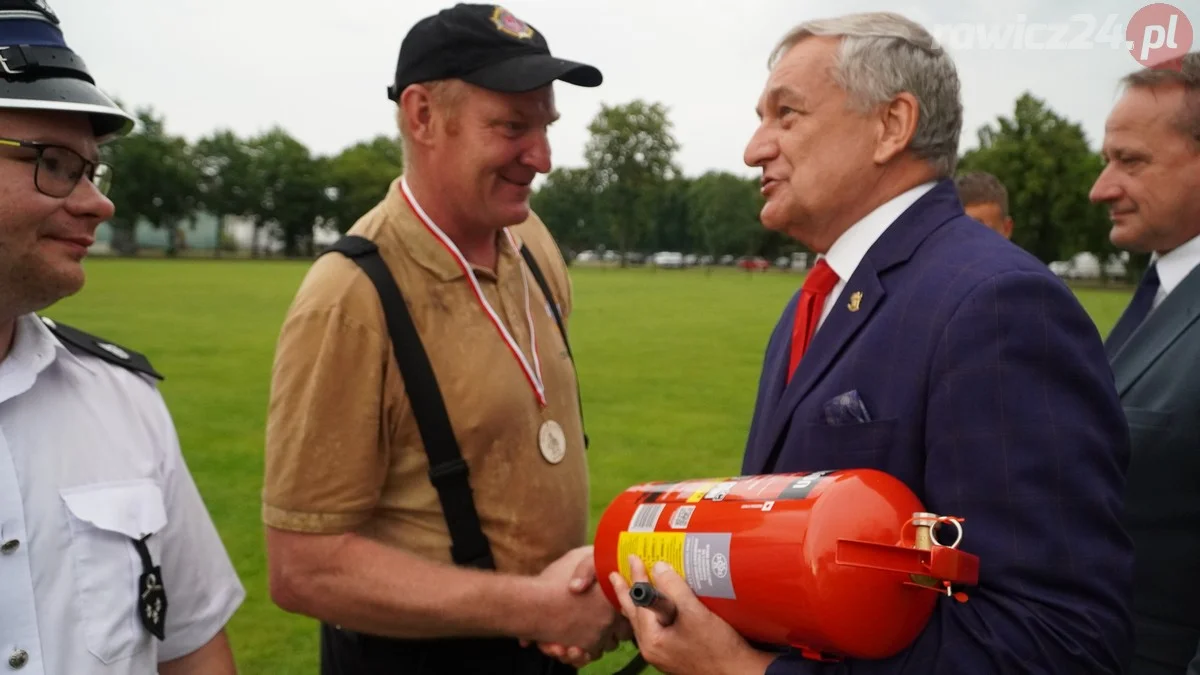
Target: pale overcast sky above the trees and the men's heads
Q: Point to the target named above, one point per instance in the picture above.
(321, 70)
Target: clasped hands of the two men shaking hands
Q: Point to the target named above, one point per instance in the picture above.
(577, 624)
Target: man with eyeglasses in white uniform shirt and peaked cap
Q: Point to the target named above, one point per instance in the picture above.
(110, 564)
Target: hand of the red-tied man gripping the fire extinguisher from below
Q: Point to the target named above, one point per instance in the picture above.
(699, 643)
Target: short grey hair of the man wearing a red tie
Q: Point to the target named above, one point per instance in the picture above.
(883, 55)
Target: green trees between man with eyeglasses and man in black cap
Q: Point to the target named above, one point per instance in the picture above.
(271, 180)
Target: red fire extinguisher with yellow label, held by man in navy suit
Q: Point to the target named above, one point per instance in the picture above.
(837, 564)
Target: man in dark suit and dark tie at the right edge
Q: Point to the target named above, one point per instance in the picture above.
(1151, 186)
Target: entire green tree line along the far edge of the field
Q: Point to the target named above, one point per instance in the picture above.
(629, 196)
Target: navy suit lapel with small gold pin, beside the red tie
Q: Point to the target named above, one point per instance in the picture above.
(896, 247)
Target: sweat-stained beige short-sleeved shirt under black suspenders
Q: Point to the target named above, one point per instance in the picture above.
(344, 452)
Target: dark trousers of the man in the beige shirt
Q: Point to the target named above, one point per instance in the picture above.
(345, 653)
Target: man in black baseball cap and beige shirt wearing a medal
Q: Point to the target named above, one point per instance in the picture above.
(427, 489)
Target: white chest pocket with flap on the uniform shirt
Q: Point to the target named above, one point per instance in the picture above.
(105, 521)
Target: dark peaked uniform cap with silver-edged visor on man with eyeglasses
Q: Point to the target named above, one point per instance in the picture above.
(40, 73)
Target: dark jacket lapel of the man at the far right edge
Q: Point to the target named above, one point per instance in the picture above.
(1163, 327)
